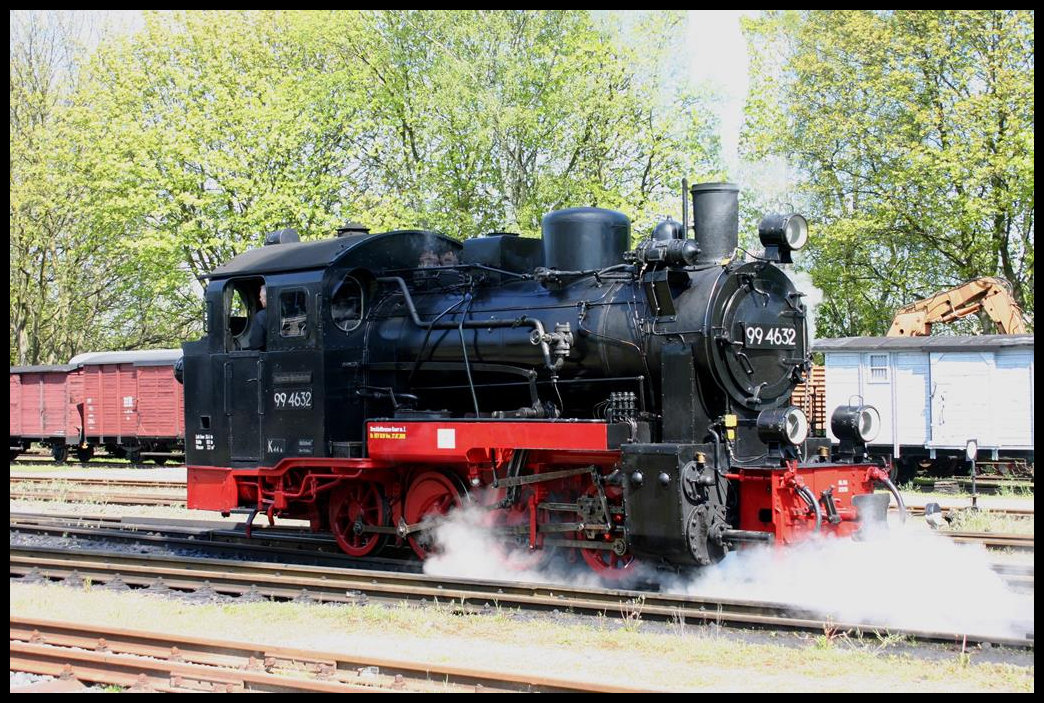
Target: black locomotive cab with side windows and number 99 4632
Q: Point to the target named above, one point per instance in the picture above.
(297, 394)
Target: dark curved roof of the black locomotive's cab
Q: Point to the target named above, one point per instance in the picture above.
(309, 255)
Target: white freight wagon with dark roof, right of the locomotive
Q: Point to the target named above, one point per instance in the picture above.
(937, 393)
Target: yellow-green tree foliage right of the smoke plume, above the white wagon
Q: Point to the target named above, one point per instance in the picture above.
(914, 134)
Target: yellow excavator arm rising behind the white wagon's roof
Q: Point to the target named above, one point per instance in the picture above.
(991, 295)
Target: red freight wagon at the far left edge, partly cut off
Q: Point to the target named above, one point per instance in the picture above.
(40, 410)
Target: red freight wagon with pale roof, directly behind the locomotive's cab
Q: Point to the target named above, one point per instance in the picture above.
(131, 403)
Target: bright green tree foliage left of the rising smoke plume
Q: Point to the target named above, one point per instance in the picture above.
(177, 148)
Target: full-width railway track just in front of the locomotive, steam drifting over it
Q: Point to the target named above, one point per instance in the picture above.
(340, 585)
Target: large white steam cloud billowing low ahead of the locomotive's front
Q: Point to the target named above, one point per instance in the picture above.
(898, 579)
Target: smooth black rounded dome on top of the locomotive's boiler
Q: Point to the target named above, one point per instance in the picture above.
(585, 239)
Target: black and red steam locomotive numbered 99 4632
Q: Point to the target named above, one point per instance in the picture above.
(601, 402)
